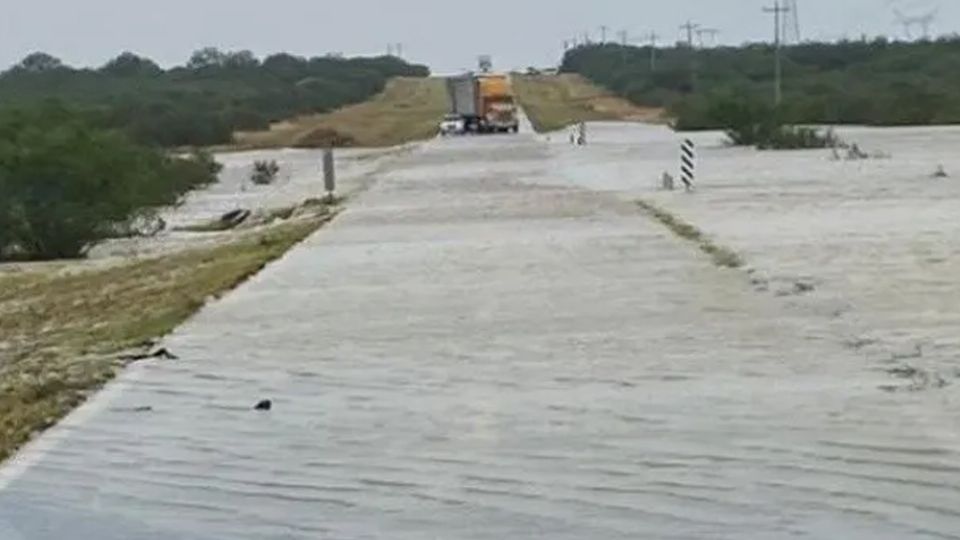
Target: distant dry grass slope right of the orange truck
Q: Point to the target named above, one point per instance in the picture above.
(555, 101)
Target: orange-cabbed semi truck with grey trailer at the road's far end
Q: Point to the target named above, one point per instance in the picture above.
(485, 102)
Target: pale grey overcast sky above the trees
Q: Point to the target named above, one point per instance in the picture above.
(445, 34)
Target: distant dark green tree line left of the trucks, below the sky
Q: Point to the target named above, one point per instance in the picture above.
(204, 101)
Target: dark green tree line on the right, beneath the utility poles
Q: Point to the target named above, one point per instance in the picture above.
(869, 82)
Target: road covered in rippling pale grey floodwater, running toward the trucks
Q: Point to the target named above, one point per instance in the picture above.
(493, 342)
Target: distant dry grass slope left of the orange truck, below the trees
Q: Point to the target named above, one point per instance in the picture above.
(408, 110)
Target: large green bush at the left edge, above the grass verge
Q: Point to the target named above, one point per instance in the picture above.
(65, 184)
